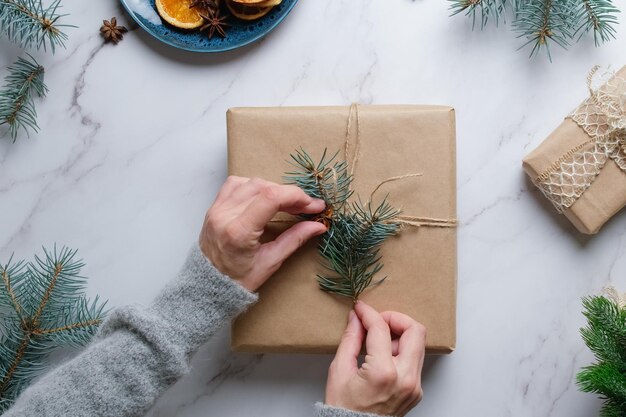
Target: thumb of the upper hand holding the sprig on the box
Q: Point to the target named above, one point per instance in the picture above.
(272, 254)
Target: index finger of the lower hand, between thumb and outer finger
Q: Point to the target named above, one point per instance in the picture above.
(378, 339)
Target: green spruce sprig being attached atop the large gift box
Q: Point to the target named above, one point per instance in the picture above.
(350, 248)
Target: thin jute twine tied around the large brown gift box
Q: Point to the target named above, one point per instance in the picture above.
(351, 153)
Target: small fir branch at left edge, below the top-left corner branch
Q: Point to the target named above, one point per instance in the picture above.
(17, 106)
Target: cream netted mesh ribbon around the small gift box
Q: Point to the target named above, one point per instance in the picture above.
(603, 117)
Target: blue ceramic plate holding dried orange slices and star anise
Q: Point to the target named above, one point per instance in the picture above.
(240, 32)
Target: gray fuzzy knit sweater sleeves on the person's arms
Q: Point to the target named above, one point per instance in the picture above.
(140, 352)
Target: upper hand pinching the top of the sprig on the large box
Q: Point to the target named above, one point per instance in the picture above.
(234, 224)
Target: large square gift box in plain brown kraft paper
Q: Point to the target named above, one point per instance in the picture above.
(293, 315)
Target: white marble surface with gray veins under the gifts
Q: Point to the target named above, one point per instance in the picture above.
(132, 151)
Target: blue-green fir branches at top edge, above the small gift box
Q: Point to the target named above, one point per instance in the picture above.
(544, 22)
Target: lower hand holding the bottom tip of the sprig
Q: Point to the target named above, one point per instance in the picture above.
(389, 380)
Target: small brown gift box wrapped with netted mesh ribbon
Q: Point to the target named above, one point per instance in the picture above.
(581, 166)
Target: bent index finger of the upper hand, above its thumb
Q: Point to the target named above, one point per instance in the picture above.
(275, 198)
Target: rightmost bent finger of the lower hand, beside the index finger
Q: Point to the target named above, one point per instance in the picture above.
(411, 342)
